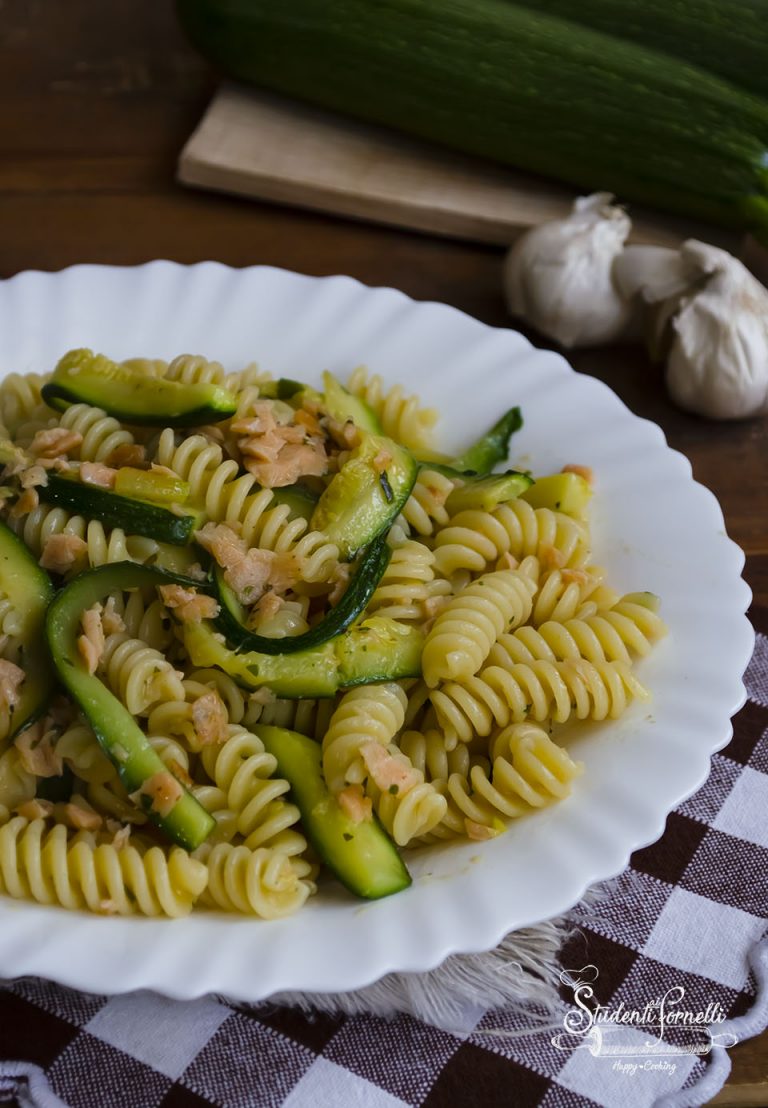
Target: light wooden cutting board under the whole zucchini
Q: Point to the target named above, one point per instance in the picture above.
(270, 148)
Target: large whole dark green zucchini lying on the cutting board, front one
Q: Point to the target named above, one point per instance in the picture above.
(513, 85)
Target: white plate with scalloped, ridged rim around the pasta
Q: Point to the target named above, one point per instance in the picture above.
(654, 529)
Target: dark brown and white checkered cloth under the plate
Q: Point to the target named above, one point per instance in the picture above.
(690, 911)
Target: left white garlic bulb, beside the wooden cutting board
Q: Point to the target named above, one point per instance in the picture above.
(558, 276)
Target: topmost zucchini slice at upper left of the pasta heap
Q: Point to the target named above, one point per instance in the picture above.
(83, 377)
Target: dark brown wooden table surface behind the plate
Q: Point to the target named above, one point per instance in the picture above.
(98, 100)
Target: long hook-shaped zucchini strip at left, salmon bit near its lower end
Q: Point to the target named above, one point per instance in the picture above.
(119, 735)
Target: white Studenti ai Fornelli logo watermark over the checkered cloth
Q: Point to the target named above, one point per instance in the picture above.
(668, 1027)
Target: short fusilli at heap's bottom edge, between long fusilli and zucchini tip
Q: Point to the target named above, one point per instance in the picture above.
(261, 883)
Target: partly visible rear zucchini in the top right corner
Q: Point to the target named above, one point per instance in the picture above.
(729, 38)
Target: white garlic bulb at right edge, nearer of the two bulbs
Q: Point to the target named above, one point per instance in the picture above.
(719, 361)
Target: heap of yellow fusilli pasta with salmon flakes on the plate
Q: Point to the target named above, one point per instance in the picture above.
(514, 632)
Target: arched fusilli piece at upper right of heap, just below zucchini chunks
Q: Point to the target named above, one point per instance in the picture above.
(475, 540)
